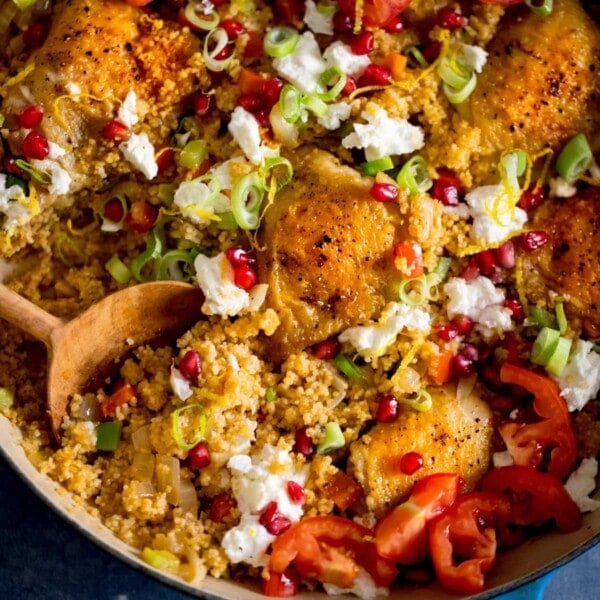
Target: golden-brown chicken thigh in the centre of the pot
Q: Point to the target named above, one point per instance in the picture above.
(328, 252)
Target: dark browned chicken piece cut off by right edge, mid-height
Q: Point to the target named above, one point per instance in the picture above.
(569, 263)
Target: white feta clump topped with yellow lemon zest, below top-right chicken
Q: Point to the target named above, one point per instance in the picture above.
(494, 216)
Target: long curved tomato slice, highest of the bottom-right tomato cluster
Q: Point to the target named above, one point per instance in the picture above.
(527, 443)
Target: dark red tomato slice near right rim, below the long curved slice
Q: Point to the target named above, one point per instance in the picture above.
(535, 497)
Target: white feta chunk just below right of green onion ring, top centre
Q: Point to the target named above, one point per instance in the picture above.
(304, 65)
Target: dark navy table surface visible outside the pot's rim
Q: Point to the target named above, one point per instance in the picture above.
(43, 558)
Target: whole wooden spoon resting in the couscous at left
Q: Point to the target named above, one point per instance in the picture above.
(81, 351)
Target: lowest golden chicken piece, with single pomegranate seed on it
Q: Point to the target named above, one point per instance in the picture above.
(453, 437)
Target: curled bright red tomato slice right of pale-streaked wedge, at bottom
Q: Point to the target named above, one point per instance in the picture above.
(467, 530)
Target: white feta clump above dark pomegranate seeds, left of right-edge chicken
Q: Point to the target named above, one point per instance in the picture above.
(481, 301)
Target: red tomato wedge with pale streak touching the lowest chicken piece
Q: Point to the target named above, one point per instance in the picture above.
(401, 534)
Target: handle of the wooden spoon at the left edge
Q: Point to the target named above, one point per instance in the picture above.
(27, 316)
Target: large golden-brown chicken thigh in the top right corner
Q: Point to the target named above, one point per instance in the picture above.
(541, 84)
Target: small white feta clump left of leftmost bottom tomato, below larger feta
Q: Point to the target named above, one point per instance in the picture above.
(248, 542)
